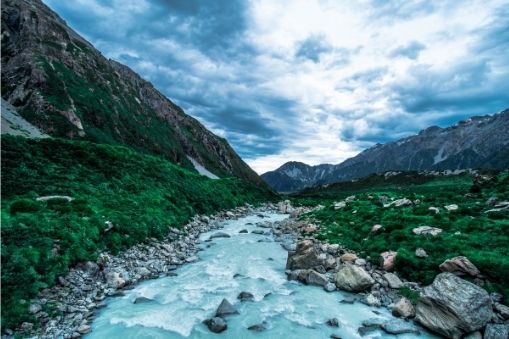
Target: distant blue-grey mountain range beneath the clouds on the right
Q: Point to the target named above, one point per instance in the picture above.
(479, 142)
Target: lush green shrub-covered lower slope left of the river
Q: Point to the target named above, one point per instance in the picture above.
(141, 195)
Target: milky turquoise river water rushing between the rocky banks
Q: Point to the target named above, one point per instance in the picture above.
(181, 303)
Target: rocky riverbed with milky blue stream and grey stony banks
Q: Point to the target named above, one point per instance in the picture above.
(451, 306)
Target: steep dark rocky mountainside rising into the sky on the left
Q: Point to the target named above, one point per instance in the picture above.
(60, 83)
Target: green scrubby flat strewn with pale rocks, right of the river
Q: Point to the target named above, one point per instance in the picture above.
(483, 237)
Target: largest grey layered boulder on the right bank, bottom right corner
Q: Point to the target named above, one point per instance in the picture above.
(453, 307)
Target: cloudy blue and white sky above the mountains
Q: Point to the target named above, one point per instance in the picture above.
(309, 80)
